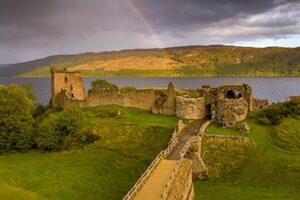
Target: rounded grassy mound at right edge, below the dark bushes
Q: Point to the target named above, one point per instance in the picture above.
(287, 134)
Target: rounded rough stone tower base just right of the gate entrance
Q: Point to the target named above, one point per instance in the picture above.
(230, 111)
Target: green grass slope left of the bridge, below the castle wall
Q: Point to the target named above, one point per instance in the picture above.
(104, 170)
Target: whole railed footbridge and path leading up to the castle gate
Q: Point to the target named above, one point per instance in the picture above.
(170, 167)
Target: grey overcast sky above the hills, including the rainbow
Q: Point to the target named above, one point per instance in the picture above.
(31, 29)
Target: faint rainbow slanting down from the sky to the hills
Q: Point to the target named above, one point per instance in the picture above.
(149, 26)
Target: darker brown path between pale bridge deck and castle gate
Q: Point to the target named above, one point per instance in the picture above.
(189, 131)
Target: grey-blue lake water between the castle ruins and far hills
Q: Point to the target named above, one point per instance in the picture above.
(274, 89)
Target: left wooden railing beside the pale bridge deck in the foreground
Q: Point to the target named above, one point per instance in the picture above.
(137, 186)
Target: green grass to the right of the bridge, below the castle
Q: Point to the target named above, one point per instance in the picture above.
(269, 173)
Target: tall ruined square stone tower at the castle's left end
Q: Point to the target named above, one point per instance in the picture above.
(70, 82)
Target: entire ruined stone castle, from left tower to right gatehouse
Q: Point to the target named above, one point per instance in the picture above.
(227, 104)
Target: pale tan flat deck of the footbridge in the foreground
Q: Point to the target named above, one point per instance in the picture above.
(155, 184)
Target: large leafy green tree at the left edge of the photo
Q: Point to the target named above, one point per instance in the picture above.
(15, 118)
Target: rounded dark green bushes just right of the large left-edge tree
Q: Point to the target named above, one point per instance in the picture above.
(64, 131)
